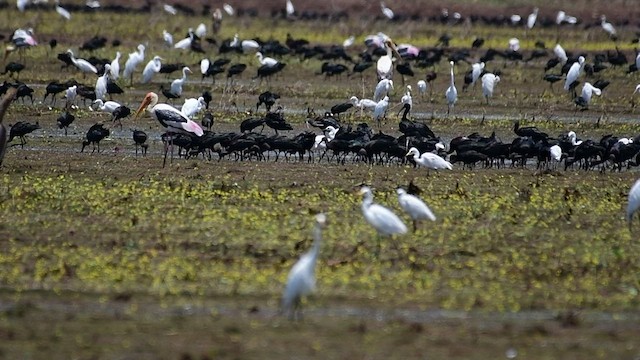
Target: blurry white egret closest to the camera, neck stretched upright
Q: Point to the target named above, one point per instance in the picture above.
(302, 278)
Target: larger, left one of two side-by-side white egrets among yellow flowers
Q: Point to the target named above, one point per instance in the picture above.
(382, 219)
